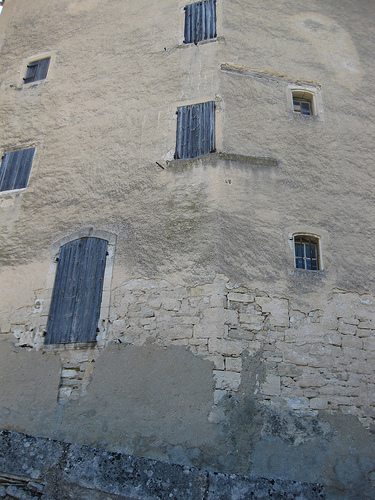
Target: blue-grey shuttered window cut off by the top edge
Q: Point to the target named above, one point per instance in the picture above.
(200, 21)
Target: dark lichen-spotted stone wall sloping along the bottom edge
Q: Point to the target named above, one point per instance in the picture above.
(63, 470)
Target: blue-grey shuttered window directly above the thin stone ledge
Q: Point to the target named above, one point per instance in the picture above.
(195, 130)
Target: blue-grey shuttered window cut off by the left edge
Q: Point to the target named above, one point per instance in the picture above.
(15, 169)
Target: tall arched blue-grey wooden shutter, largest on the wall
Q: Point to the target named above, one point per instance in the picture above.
(77, 292)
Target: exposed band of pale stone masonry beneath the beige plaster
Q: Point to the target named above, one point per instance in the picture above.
(315, 360)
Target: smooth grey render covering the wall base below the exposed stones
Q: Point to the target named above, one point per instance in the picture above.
(157, 402)
